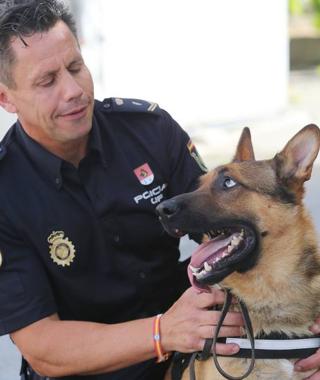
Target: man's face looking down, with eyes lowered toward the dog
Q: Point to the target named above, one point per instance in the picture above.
(53, 97)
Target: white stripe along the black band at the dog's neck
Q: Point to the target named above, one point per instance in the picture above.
(277, 344)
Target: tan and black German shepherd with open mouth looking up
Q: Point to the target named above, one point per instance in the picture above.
(259, 242)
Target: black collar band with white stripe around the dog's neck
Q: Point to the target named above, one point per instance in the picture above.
(277, 348)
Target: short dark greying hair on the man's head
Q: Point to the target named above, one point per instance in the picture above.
(23, 19)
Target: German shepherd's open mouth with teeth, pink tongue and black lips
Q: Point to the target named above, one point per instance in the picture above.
(224, 252)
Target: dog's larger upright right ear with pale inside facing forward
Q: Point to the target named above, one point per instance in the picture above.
(295, 161)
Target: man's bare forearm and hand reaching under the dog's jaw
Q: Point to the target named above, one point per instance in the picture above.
(57, 348)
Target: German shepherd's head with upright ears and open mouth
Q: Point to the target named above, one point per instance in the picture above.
(242, 208)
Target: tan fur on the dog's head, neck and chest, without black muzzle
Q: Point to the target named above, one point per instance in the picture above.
(282, 290)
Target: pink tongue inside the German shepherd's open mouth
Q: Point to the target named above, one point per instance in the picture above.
(210, 252)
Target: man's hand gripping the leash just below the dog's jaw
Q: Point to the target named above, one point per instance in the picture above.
(186, 325)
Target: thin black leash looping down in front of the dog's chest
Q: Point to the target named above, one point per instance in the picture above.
(210, 344)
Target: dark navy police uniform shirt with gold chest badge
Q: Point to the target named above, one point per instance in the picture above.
(85, 242)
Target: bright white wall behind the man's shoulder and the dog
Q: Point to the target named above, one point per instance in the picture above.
(204, 61)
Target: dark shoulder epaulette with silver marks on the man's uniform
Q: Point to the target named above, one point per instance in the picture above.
(130, 105)
